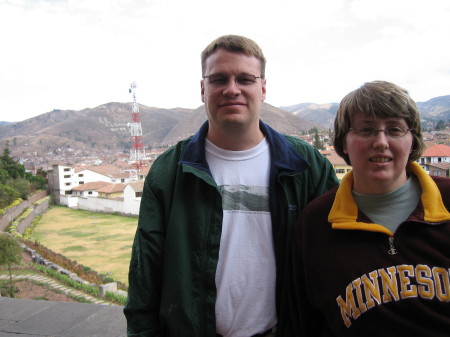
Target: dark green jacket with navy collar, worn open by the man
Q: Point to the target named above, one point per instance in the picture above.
(172, 289)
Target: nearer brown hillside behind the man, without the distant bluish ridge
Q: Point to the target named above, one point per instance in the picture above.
(105, 127)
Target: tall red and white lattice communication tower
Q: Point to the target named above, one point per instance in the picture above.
(137, 151)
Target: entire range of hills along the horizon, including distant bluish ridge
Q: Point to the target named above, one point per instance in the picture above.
(104, 129)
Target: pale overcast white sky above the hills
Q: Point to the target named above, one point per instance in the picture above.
(77, 54)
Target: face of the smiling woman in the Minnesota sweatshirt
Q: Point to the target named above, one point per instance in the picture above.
(379, 161)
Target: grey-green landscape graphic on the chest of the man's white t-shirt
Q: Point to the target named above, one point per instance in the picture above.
(245, 198)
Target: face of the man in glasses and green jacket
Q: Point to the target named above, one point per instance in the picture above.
(232, 96)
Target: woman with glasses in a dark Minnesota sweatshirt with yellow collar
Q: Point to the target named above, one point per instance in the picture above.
(372, 257)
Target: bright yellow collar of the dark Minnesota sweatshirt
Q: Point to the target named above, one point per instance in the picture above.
(344, 212)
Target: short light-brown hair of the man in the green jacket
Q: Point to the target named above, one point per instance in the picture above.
(235, 43)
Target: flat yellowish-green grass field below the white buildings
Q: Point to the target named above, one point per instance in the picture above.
(99, 241)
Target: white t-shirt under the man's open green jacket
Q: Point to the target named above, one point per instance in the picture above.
(246, 272)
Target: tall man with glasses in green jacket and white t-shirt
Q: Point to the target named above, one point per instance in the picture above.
(217, 212)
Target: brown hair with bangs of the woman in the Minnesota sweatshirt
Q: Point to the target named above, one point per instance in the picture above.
(378, 99)
